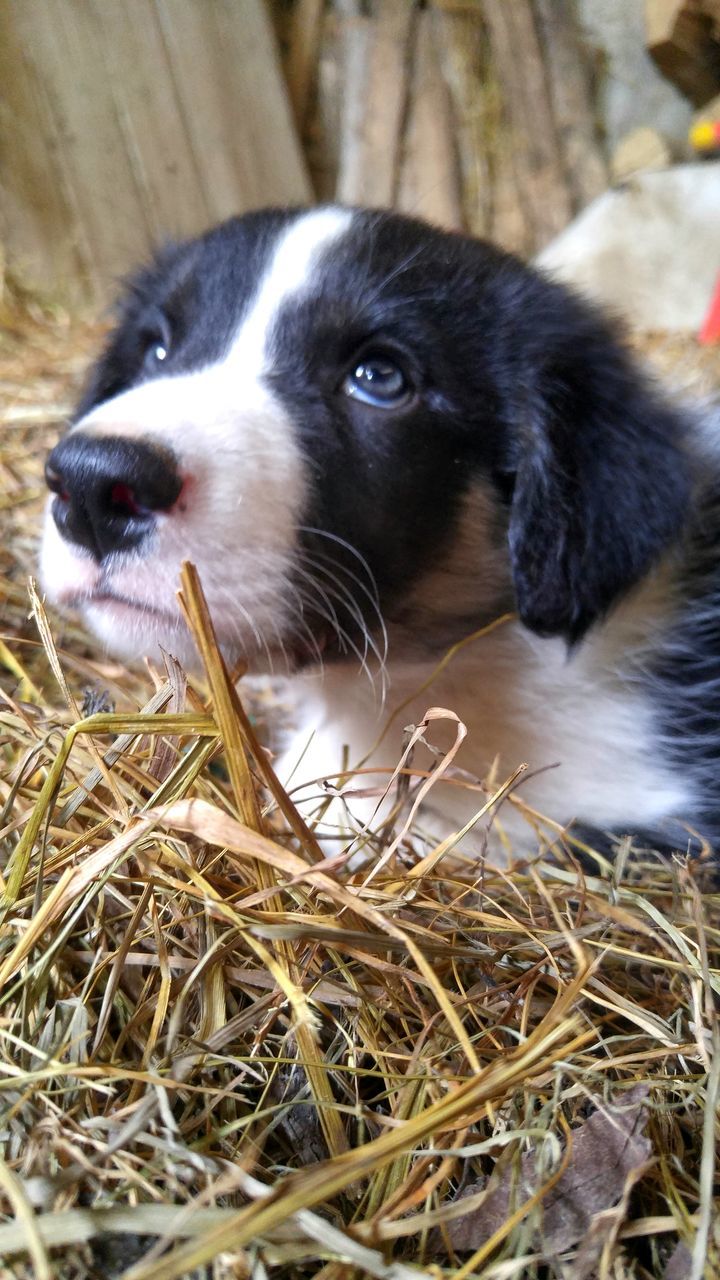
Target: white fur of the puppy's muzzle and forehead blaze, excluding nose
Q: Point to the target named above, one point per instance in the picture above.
(244, 487)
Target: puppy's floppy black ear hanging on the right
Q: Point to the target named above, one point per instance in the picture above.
(601, 478)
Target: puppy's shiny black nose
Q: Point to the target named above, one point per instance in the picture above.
(110, 490)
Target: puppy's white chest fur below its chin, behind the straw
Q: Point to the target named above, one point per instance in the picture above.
(585, 733)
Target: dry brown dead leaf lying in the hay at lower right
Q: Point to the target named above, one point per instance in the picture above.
(607, 1151)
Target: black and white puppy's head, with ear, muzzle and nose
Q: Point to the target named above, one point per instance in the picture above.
(340, 415)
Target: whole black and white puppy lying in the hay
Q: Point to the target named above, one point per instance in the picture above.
(368, 436)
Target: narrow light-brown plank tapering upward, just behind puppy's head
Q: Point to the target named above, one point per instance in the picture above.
(429, 181)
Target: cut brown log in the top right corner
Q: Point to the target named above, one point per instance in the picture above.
(682, 38)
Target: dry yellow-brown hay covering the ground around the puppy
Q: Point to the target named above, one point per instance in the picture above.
(226, 1055)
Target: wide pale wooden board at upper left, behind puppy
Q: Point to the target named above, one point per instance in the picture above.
(125, 125)
